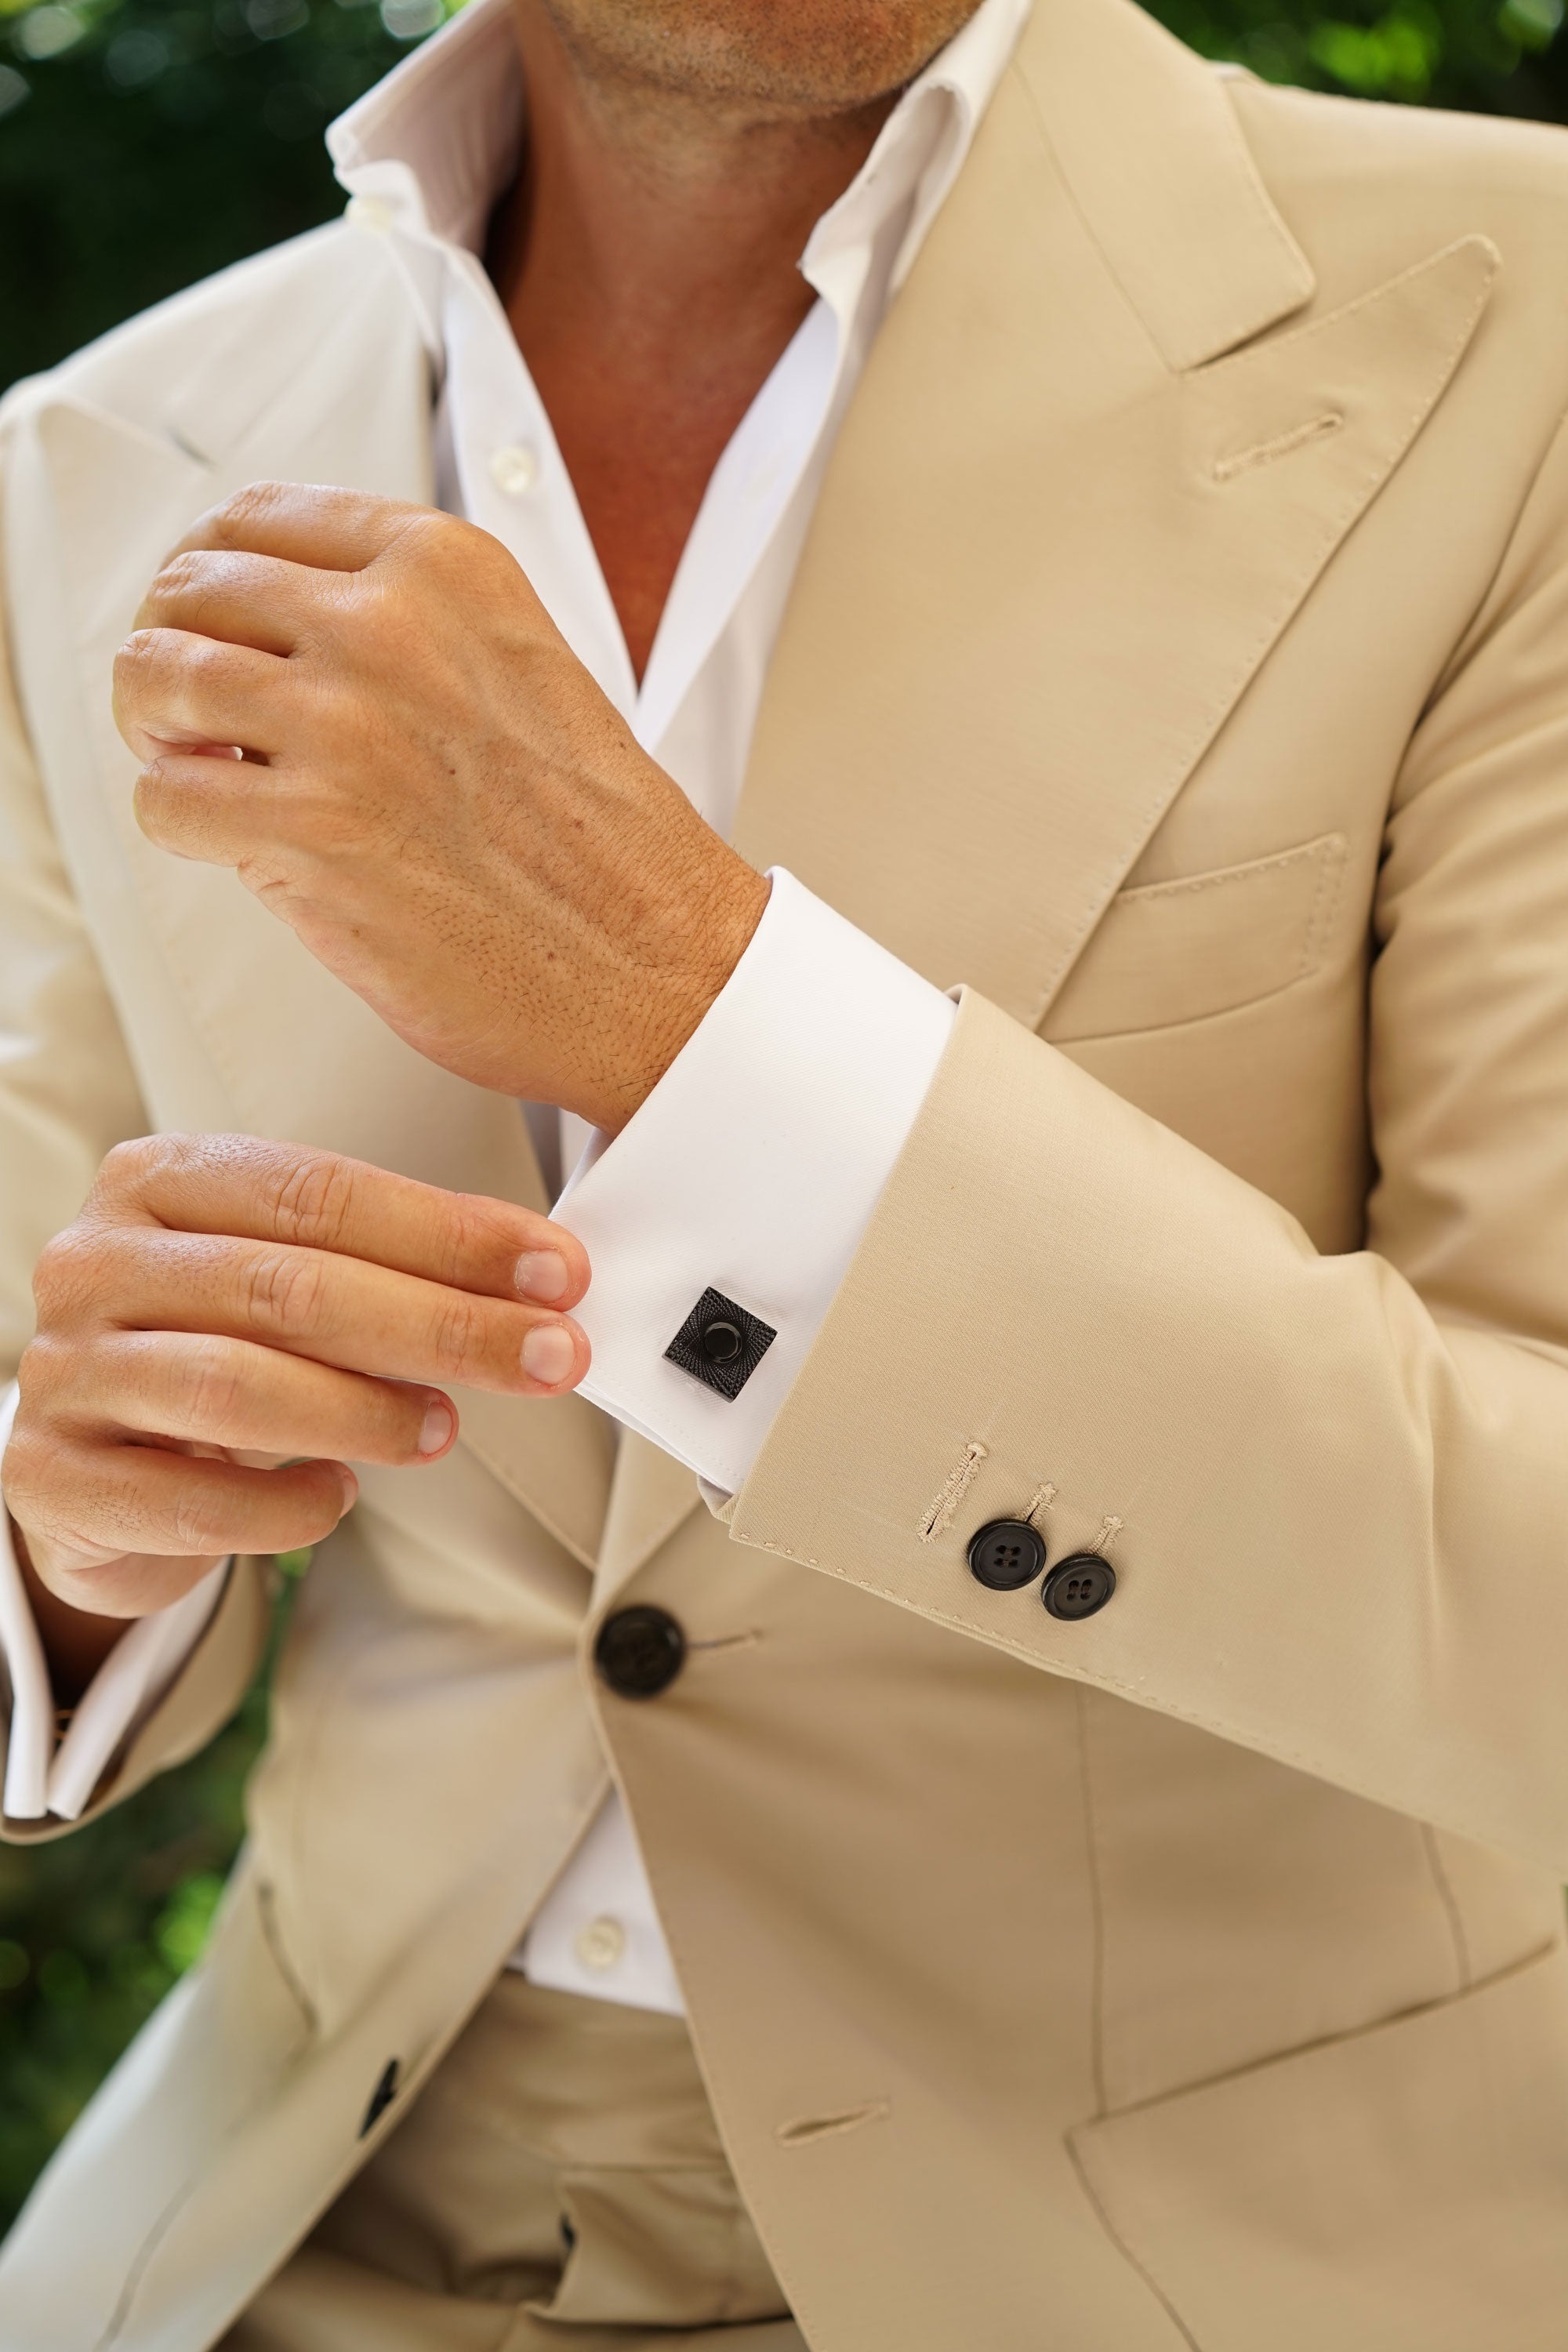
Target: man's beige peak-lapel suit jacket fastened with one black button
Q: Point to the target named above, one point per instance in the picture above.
(1181, 664)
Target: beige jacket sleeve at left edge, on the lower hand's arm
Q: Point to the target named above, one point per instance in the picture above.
(67, 1097)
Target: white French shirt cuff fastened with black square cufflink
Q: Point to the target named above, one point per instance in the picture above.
(751, 1170)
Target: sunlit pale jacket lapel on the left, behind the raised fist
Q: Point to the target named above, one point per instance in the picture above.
(234, 1024)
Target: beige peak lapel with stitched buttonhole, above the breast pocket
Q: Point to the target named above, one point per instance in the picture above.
(1045, 561)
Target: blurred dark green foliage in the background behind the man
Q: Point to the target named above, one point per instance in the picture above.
(142, 145)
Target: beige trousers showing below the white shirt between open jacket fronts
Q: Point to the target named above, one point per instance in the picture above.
(558, 2184)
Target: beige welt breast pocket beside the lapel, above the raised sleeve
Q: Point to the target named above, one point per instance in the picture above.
(1205, 944)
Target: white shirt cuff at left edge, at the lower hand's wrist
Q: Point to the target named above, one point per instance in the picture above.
(43, 1777)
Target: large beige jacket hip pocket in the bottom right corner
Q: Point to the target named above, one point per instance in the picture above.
(1393, 2191)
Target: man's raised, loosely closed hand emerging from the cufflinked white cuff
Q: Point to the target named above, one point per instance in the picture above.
(434, 794)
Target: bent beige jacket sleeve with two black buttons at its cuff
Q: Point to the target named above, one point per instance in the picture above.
(1334, 1488)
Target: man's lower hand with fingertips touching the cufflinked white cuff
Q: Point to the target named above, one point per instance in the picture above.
(225, 1297)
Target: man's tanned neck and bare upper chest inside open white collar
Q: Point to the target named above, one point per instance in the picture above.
(648, 262)
